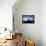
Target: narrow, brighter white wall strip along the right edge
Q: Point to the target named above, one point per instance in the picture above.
(43, 22)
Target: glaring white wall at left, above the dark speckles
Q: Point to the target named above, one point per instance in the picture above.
(6, 13)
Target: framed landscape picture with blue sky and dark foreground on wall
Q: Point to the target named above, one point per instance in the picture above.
(28, 19)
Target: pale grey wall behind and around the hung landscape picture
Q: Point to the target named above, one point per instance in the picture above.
(30, 31)
